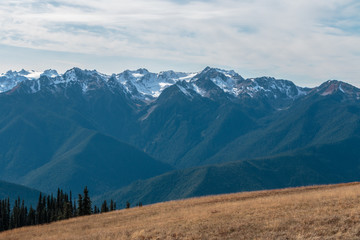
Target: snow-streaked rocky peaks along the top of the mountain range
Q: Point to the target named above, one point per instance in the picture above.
(146, 86)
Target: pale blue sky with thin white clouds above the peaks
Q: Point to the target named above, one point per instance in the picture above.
(305, 41)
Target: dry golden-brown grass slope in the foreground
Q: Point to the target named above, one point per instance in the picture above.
(317, 212)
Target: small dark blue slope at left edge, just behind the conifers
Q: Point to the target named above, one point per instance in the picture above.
(13, 191)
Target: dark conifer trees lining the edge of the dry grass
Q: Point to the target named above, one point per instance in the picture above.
(49, 208)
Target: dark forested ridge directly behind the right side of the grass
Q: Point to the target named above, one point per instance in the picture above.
(323, 164)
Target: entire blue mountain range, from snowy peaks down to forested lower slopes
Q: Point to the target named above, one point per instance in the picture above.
(113, 132)
